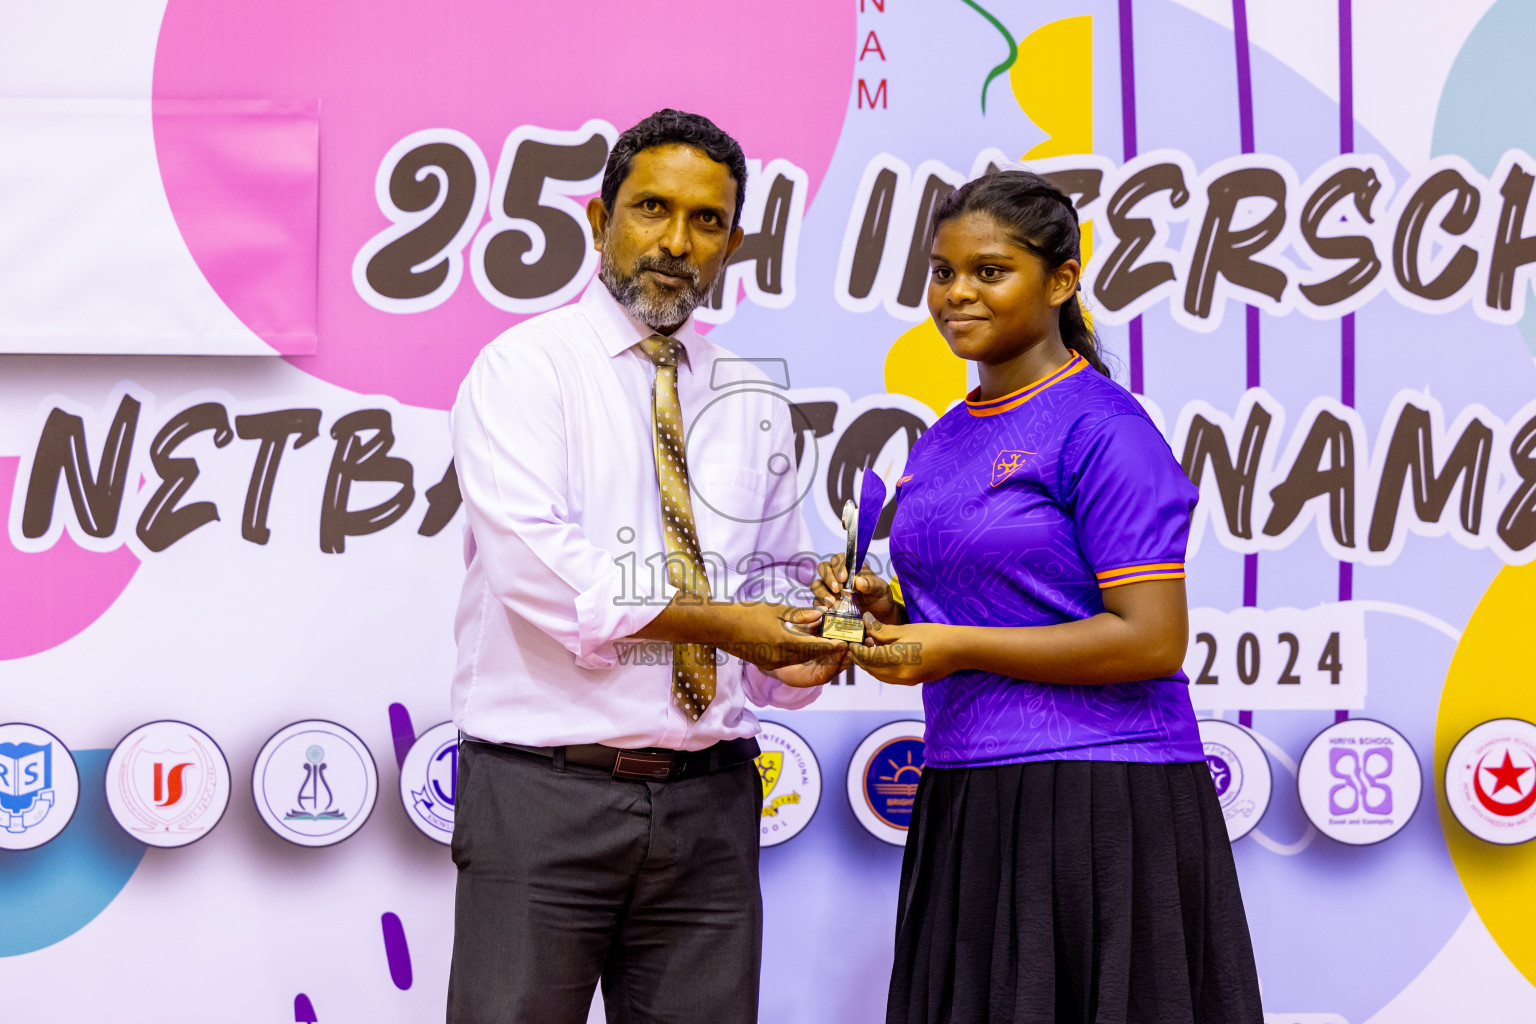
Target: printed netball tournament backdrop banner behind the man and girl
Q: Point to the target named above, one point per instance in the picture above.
(248, 251)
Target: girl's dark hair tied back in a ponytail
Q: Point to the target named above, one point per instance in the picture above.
(1039, 219)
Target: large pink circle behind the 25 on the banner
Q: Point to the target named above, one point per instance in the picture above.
(775, 76)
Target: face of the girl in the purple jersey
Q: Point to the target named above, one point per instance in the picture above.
(991, 300)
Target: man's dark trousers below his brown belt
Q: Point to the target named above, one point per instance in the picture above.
(571, 877)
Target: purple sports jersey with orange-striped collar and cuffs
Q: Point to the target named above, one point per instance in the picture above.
(1018, 512)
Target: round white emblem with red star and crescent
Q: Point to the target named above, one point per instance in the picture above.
(1491, 782)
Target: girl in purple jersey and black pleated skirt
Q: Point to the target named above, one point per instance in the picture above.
(1068, 859)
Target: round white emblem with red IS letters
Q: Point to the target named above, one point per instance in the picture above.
(168, 784)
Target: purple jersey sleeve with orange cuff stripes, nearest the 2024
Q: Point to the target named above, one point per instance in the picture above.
(1130, 501)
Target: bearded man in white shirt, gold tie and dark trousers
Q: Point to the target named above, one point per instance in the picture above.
(609, 807)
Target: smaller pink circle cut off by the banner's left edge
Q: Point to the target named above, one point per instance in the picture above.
(51, 596)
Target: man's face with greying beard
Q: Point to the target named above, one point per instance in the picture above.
(669, 234)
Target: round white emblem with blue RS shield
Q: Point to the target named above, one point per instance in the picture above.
(39, 787)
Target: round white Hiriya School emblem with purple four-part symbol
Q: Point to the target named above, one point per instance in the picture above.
(1360, 782)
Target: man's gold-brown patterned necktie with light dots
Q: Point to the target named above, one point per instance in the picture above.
(694, 664)
